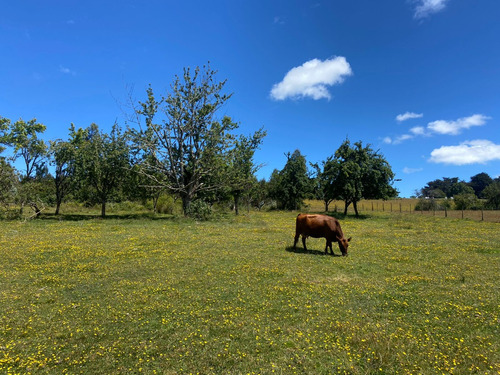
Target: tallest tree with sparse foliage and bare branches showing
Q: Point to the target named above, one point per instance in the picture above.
(182, 134)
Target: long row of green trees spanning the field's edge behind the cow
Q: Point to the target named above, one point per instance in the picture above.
(175, 145)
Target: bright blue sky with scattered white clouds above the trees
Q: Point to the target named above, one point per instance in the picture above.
(419, 80)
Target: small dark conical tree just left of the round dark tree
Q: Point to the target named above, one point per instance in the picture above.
(290, 186)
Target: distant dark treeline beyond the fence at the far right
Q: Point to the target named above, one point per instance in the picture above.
(481, 191)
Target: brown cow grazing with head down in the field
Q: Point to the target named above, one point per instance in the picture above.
(320, 226)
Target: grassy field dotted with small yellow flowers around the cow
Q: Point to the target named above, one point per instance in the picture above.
(416, 295)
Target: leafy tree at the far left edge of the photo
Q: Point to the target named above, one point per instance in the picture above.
(22, 136)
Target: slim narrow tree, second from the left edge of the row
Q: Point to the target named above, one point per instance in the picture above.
(63, 159)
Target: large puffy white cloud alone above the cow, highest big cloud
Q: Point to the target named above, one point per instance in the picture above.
(312, 79)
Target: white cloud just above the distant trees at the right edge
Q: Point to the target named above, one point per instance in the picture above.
(477, 151)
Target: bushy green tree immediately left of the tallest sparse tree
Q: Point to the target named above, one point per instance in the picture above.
(101, 162)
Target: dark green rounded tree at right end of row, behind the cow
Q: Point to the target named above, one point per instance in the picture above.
(359, 173)
